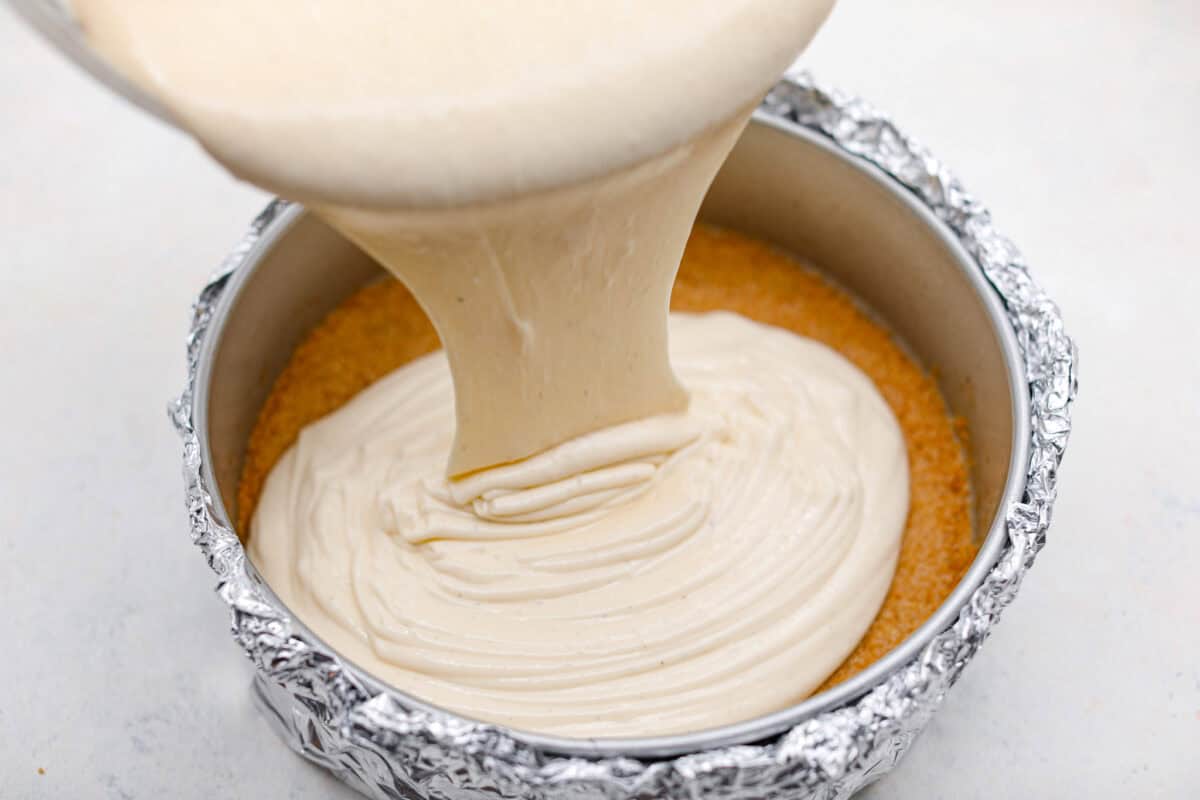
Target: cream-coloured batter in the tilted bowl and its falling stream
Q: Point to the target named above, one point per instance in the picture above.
(530, 170)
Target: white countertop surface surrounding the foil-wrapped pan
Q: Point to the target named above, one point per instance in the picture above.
(1081, 130)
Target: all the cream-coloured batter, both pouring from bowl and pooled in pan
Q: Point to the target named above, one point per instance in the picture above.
(593, 544)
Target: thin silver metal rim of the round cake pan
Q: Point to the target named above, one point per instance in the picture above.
(763, 727)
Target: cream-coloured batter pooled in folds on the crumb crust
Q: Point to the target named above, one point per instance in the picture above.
(664, 576)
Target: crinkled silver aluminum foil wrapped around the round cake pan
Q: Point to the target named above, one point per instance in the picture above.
(327, 712)
